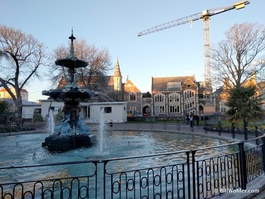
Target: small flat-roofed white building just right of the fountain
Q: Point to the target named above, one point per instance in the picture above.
(115, 112)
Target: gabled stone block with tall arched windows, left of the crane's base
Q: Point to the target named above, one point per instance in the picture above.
(179, 96)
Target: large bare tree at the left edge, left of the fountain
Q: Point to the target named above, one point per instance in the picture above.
(21, 57)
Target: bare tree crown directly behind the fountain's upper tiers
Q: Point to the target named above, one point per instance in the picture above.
(90, 77)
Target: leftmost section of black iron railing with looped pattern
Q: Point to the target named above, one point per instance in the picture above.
(50, 181)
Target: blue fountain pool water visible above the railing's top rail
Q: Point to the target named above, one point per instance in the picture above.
(25, 149)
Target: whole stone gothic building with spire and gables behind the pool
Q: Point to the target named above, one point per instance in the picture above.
(173, 96)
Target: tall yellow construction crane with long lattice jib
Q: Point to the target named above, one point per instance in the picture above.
(205, 16)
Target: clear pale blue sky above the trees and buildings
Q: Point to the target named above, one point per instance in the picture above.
(114, 25)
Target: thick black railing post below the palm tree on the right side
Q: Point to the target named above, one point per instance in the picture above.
(243, 166)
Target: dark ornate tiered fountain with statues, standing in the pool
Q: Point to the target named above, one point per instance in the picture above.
(72, 133)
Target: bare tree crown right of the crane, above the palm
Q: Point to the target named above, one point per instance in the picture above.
(236, 57)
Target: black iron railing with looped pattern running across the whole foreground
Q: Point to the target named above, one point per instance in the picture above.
(182, 174)
